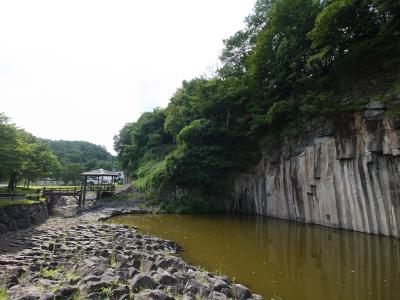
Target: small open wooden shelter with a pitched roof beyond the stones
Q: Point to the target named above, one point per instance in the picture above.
(103, 181)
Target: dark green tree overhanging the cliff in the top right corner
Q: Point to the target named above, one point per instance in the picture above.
(355, 28)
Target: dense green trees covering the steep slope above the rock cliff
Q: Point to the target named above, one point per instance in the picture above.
(295, 62)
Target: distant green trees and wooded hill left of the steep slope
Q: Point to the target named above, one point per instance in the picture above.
(25, 158)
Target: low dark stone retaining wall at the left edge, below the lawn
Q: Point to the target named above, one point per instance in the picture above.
(21, 216)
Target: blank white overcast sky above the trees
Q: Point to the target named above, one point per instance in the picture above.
(81, 69)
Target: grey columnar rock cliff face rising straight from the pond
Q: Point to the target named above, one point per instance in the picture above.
(347, 179)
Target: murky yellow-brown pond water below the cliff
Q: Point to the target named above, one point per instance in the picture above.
(283, 260)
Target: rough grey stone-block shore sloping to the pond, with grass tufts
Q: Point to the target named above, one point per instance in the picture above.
(81, 258)
